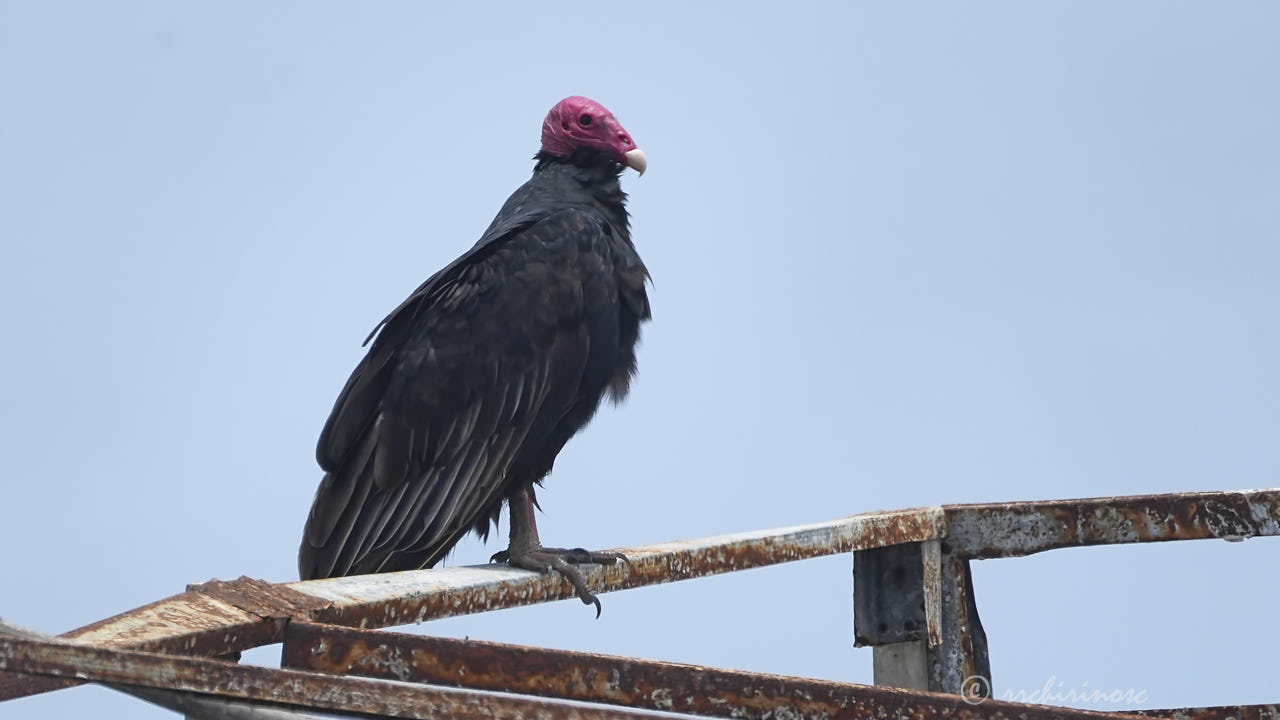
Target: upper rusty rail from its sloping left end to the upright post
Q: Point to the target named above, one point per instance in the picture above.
(221, 618)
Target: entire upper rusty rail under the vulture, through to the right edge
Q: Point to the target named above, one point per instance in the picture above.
(226, 618)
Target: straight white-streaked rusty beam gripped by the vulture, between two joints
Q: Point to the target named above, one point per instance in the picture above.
(400, 599)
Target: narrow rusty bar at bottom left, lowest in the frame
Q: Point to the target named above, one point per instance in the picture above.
(291, 689)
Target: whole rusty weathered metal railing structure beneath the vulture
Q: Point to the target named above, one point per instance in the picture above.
(913, 593)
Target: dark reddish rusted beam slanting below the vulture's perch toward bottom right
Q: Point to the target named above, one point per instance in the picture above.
(624, 681)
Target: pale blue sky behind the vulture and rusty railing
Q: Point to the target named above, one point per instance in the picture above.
(903, 254)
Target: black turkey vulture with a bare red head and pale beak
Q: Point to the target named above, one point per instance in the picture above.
(481, 377)
